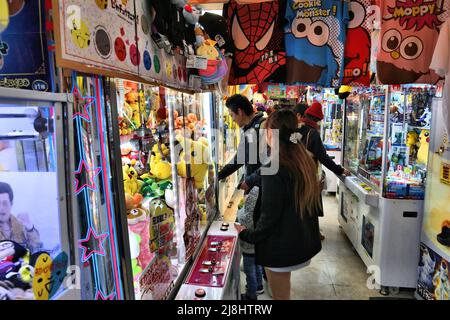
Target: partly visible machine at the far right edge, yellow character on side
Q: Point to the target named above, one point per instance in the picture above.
(433, 271)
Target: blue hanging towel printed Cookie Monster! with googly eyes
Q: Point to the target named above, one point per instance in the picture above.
(315, 37)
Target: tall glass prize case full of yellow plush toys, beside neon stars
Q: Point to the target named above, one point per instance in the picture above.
(148, 189)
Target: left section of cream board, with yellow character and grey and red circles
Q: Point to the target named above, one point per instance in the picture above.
(99, 33)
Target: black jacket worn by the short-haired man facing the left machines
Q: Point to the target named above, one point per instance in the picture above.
(251, 164)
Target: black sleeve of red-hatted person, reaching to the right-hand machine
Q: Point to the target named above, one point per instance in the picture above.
(316, 147)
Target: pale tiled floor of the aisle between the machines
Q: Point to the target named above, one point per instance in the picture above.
(336, 273)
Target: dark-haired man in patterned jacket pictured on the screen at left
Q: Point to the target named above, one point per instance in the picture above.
(16, 228)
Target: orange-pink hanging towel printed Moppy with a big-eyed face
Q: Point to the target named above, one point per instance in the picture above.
(409, 32)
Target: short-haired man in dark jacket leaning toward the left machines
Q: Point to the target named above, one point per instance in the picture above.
(242, 112)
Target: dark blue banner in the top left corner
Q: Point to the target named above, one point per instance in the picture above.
(23, 47)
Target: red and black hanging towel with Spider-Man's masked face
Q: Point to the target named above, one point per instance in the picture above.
(257, 32)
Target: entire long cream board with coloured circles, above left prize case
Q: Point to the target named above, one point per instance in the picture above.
(115, 35)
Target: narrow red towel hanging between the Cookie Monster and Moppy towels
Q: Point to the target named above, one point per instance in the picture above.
(358, 45)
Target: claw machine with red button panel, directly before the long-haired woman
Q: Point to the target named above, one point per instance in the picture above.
(214, 274)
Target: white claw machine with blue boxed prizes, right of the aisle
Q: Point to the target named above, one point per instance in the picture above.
(381, 205)
